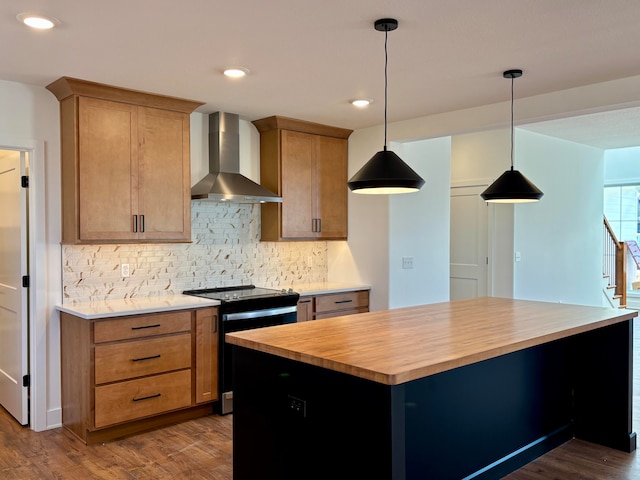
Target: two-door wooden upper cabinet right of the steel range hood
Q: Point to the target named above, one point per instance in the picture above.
(306, 164)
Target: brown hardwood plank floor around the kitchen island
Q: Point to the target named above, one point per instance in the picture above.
(202, 449)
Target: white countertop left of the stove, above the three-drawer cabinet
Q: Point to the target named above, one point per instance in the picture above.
(134, 306)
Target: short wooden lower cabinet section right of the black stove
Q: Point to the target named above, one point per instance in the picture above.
(332, 305)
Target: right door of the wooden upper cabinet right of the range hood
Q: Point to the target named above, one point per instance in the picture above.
(331, 188)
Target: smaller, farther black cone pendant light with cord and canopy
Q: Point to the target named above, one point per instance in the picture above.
(512, 186)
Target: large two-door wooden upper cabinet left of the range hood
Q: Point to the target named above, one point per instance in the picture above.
(125, 164)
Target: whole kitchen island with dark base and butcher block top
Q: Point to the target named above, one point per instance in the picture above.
(456, 390)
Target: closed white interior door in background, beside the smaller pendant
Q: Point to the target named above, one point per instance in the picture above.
(469, 255)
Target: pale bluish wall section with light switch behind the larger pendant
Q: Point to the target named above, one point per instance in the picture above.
(419, 226)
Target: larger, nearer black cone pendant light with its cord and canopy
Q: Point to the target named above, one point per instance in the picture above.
(385, 173)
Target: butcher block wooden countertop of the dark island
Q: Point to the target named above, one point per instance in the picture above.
(396, 346)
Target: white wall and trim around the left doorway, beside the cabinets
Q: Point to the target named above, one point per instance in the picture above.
(28, 117)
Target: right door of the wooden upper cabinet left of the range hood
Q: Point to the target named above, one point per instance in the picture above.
(164, 175)
